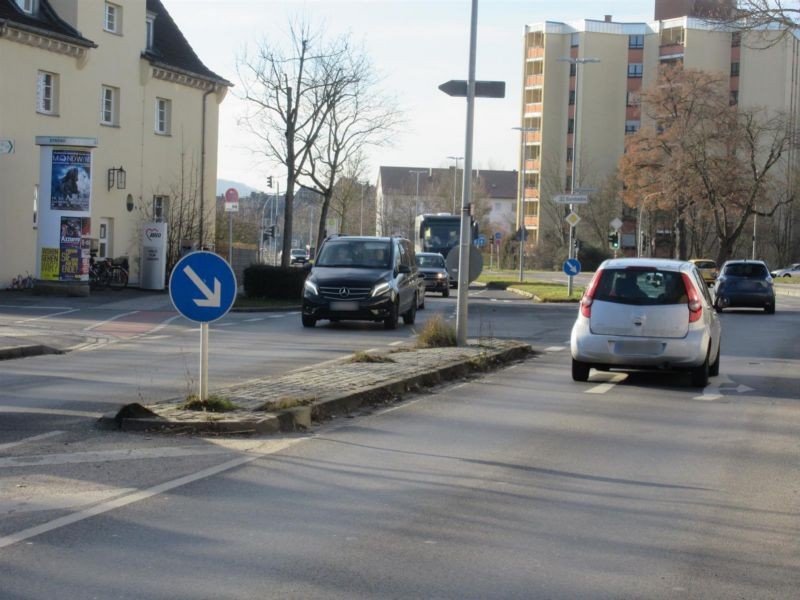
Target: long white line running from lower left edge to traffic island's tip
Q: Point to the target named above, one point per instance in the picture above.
(127, 499)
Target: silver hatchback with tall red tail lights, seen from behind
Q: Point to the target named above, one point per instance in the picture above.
(646, 313)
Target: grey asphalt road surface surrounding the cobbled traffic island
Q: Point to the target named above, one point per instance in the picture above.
(520, 484)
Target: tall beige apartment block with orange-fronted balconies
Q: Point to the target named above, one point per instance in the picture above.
(580, 88)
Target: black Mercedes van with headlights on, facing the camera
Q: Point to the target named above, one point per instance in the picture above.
(362, 278)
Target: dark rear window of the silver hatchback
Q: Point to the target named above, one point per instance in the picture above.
(641, 286)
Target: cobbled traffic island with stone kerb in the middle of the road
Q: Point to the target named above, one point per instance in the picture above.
(293, 401)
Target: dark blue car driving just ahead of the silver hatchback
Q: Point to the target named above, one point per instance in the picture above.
(745, 283)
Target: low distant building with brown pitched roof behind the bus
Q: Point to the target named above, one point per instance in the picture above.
(404, 192)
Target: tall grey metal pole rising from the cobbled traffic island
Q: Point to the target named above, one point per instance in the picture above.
(466, 197)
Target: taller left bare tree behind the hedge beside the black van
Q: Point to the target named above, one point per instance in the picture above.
(290, 94)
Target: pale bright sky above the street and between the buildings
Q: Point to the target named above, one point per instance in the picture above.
(415, 46)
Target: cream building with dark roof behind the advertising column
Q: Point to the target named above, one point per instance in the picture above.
(108, 120)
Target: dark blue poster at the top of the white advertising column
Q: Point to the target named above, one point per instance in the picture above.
(71, 182)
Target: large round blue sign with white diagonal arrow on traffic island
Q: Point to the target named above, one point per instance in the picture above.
(202, 287)
